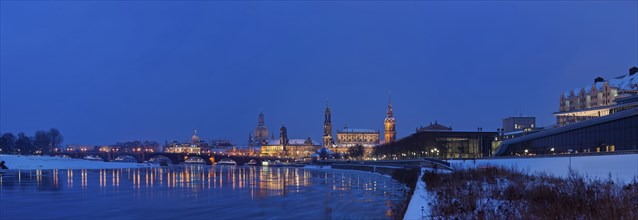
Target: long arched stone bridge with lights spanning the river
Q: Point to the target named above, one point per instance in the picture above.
(170, 158)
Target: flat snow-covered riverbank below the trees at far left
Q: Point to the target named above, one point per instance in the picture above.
(16, 162)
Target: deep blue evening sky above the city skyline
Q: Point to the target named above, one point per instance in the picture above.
(108, 71)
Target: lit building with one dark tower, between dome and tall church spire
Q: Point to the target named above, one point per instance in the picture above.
(290, 148)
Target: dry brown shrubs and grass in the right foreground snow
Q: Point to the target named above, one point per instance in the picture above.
(497, 193)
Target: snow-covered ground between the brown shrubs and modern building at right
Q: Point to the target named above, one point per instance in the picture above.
(621, 167)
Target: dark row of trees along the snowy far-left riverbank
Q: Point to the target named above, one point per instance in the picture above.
(42, 142)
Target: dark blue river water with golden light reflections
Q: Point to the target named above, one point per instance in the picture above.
(198, 192)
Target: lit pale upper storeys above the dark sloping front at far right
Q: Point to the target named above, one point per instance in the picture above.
(596, 100)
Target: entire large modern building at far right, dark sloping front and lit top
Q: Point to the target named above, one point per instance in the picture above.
(602, 117)
